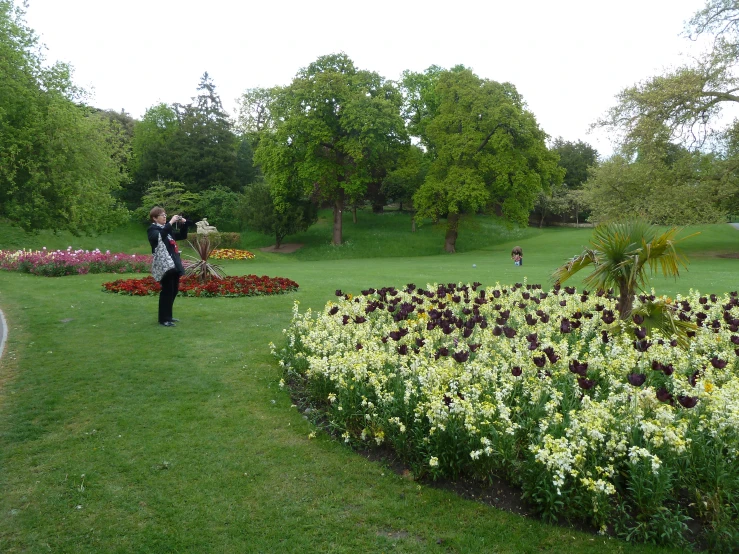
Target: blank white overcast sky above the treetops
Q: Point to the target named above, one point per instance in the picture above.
(568, 58)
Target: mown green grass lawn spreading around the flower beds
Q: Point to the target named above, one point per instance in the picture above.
(117, 435)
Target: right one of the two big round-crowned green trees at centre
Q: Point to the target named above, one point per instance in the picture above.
(487, 152)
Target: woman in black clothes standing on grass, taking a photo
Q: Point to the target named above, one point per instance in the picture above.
(171, 280)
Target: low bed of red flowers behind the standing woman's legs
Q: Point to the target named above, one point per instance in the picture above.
(246, 285)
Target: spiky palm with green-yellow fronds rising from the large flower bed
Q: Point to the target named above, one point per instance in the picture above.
(620, 253)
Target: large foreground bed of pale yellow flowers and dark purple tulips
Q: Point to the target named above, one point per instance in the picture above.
(592, 417)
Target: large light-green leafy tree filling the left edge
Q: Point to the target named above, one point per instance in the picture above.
(60, 164)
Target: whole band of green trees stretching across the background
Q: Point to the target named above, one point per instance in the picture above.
(445, 144)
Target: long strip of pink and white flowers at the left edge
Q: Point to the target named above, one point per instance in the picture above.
(57, 263)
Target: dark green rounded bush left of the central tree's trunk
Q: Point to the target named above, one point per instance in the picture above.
(296, 214)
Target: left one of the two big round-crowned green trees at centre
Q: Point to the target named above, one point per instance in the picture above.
(333, 127)
